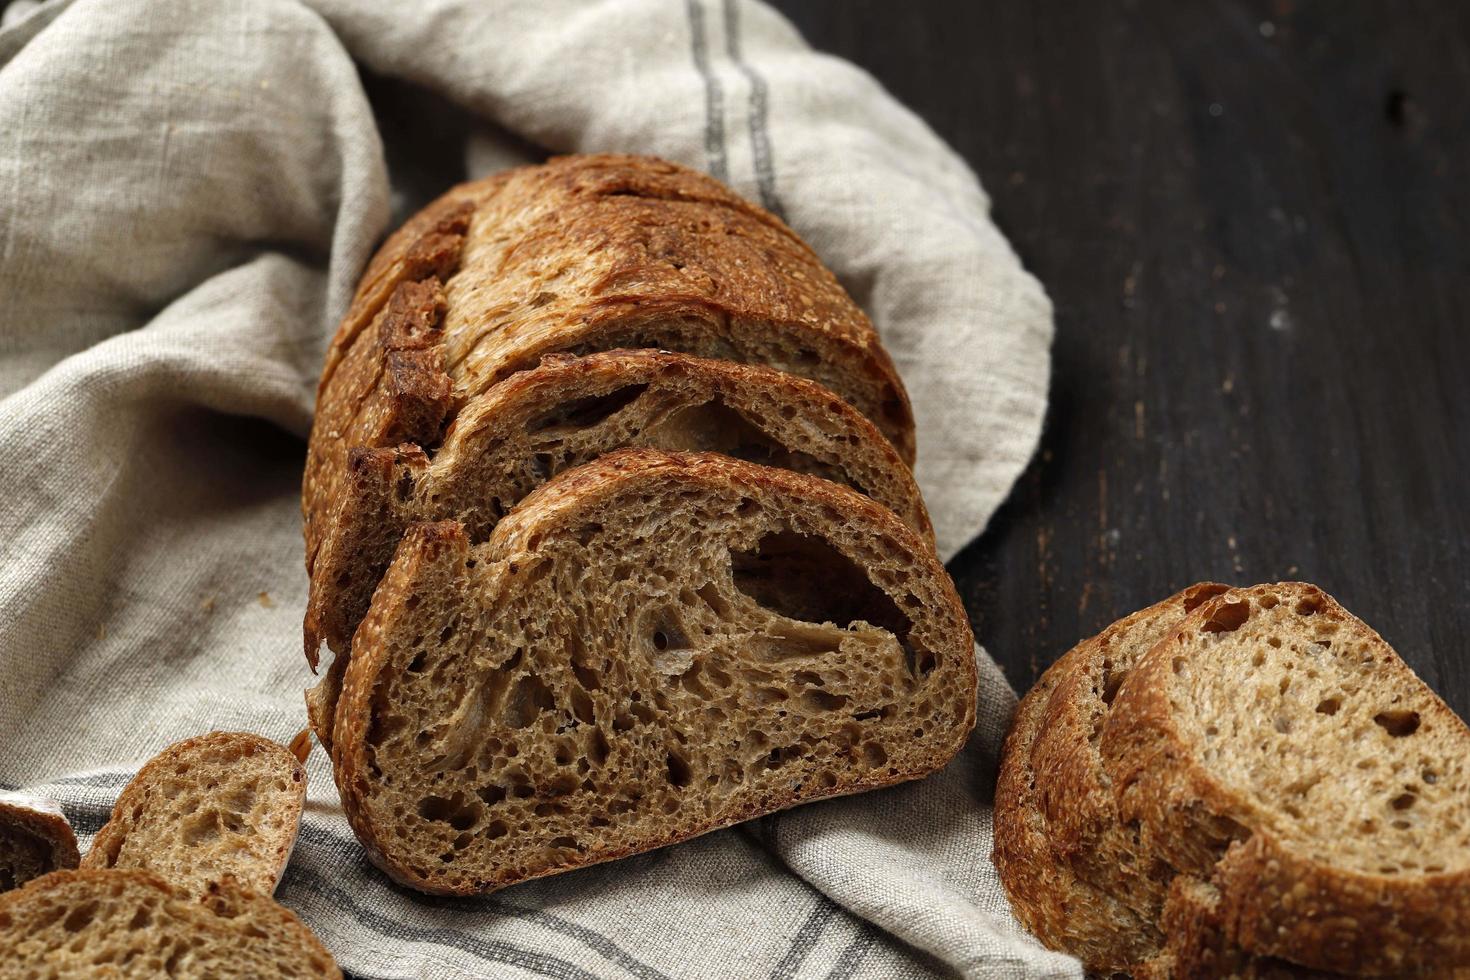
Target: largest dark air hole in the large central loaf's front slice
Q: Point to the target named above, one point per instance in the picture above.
(808, 580)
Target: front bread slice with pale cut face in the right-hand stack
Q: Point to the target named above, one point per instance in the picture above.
(1280, 750)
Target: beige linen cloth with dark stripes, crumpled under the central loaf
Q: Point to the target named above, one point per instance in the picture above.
(189, 192)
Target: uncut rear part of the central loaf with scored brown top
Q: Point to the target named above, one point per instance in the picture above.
(580, 255)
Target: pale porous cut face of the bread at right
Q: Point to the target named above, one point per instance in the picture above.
(1333, 740)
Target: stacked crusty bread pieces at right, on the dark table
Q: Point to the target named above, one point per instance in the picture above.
(1240, 784)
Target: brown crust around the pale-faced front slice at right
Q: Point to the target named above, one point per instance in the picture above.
(1275, 898)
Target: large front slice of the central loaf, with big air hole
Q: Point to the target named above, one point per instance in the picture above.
(650, 647)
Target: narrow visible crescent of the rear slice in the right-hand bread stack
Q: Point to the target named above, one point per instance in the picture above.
(1072, 785)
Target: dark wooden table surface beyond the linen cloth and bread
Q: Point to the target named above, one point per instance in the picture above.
(1255, 223)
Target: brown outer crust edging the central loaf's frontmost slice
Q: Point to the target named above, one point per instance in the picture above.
(434, 556)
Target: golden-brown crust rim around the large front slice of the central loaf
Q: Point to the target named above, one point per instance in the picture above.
(430, 549)
